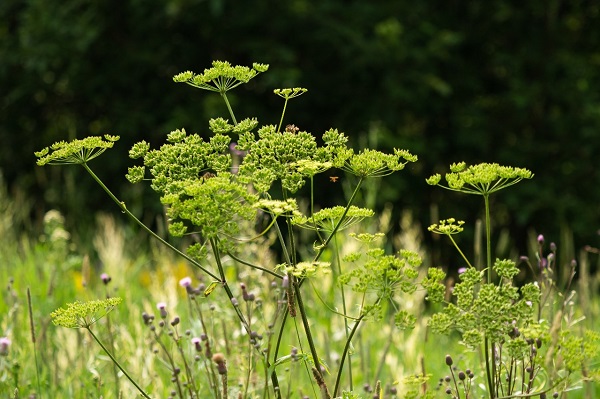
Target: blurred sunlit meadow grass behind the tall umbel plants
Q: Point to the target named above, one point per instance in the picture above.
(48, 361)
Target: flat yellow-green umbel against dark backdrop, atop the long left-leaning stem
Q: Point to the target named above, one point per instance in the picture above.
(75, 152)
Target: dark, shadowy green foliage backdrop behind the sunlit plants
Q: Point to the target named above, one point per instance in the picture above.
(508, 81)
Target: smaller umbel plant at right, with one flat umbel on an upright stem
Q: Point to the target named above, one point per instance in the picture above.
(524, 353)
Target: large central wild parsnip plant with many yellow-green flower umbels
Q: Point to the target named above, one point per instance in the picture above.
(209, 192)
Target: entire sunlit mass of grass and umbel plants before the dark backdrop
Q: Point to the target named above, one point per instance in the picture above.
(279, 297)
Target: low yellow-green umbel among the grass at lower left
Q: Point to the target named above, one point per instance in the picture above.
(83, 314)
